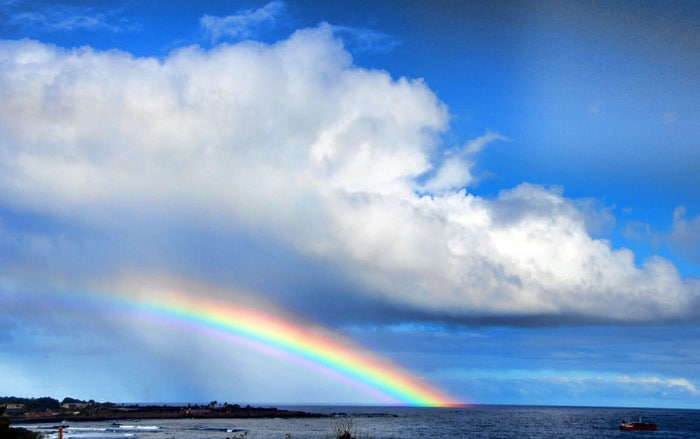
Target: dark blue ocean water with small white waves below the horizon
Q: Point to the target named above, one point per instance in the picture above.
(504, 422)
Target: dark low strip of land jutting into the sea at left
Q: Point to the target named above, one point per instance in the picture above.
(49, 410)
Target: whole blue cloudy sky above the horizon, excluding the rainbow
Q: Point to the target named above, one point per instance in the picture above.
(499, 198)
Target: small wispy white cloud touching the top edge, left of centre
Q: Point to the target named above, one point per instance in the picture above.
(244, 24)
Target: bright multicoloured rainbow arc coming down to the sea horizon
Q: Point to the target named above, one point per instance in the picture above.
(308, 345)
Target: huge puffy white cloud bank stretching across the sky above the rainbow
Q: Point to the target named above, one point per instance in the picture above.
(293, 143)
